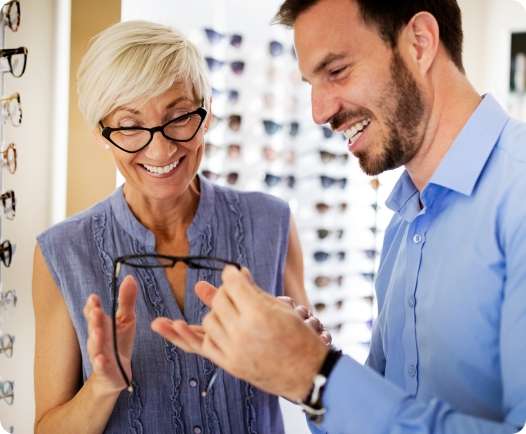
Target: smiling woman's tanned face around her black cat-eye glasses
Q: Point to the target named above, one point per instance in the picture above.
(165, 168)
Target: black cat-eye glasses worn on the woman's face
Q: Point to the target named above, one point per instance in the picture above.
(134, 139)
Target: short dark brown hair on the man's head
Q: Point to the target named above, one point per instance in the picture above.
(390, 16)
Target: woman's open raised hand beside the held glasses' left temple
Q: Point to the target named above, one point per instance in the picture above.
(106, 374)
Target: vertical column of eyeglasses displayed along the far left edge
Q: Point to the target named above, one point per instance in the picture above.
(12, 64)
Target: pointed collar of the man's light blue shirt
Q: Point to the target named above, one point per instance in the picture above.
(461, 167)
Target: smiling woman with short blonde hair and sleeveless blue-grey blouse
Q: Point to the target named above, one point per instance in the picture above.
(134, 77)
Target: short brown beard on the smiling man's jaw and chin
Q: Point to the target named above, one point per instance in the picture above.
(403, 122)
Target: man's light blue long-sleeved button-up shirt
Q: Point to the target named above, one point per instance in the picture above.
(448, 354)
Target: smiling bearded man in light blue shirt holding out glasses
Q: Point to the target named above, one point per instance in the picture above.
(448, 353)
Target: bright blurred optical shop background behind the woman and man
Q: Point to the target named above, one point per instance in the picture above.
(263, 138)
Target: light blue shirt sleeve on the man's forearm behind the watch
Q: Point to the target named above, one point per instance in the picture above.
(359, 400)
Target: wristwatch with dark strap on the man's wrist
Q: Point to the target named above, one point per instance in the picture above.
(312, 405)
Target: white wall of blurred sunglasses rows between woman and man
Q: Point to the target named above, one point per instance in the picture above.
(263, 137)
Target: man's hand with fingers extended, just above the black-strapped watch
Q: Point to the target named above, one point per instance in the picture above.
(251, 335)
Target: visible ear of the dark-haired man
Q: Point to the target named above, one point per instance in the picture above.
(420, 39)
